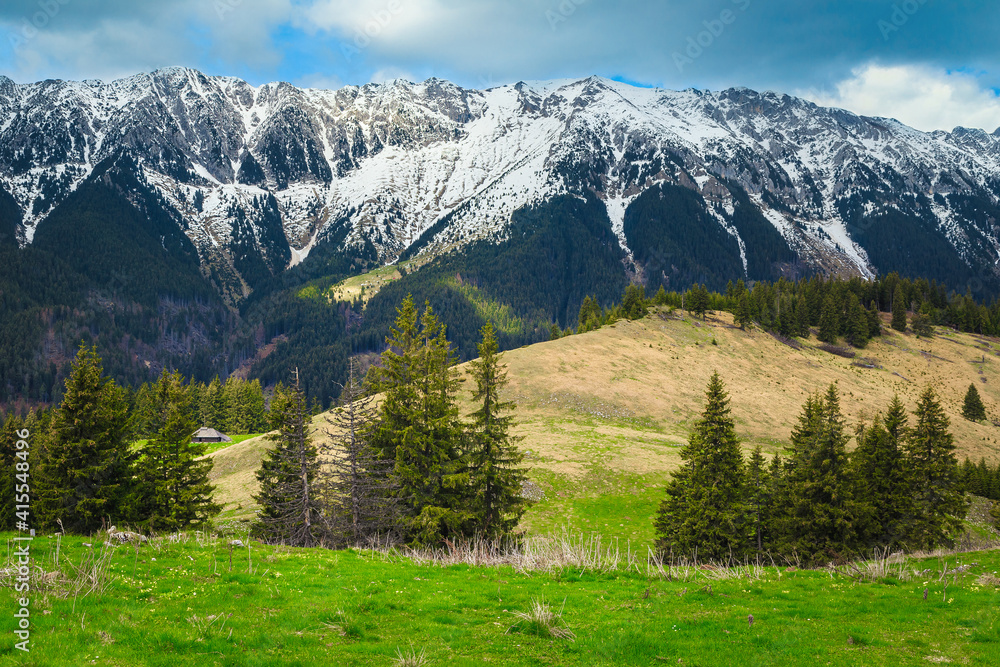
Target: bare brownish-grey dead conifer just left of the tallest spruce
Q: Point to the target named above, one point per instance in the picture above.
(358, 485)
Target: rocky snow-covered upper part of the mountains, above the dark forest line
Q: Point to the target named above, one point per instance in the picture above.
(280, 169)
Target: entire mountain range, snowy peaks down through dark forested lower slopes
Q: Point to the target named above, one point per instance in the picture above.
(201, 223)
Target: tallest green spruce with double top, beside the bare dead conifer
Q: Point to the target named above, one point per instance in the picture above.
(419, 428)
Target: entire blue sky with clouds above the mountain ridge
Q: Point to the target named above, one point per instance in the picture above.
(931, 63)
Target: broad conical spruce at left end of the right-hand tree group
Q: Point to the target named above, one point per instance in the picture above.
(704, 512)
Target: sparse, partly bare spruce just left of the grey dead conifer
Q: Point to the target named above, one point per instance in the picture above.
(291, 510)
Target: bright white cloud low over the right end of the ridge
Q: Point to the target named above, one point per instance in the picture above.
(921, 97)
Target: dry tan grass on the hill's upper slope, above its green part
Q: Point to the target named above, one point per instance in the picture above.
(654, 372)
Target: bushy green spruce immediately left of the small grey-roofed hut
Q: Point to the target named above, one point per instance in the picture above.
(173, 487)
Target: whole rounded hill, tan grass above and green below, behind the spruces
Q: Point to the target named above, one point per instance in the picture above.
(604, 414)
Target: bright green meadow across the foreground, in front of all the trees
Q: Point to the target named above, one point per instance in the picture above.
(178, 603)
